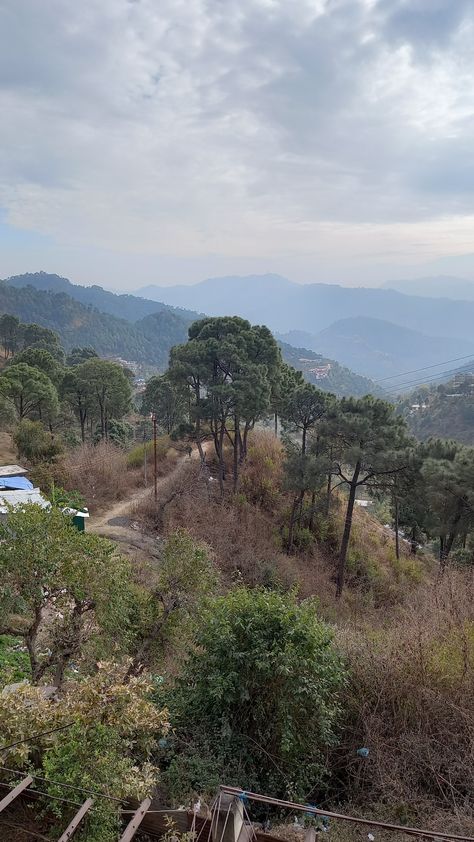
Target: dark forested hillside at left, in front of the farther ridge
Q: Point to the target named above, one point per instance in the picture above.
(148, 340)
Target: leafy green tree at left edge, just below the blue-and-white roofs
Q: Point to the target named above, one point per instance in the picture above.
(54, 582)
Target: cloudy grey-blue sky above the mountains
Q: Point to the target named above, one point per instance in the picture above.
(170, 140)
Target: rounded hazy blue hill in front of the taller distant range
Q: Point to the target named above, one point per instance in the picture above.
(379, 348)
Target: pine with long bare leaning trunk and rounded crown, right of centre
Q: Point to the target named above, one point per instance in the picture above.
(370, 446)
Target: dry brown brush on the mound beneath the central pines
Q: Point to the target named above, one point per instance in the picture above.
(246, 534)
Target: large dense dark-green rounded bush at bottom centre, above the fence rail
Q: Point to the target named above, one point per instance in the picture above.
(260, 695)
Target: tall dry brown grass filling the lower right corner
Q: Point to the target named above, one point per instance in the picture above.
(411, 702)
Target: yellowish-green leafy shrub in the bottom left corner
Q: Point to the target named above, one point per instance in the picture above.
(108, 748)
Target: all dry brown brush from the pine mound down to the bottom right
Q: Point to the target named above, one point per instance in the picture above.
(407, 638)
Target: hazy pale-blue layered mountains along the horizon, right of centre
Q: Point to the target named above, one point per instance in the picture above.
(376, 332)
